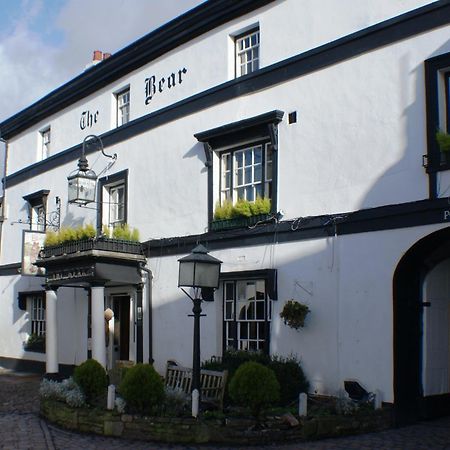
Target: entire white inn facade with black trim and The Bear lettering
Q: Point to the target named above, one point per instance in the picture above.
(333, 119)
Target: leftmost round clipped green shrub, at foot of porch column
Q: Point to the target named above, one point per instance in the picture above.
(92, 379)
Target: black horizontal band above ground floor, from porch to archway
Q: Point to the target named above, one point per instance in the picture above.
(390, 217)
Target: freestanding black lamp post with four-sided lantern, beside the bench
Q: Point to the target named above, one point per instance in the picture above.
(198, 270)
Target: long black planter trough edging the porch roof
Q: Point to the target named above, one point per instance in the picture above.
(102, 243)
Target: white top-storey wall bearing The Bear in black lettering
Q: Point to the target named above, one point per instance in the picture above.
(306, 24)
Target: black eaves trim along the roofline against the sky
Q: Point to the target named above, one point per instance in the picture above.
(182, 29)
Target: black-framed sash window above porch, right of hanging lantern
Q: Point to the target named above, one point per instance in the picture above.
(114, 200)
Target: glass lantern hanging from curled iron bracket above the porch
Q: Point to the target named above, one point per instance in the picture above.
(82, 182)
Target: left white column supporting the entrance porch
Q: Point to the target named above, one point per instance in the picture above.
(51, 335)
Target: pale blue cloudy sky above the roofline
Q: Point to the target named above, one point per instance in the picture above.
(44, 43)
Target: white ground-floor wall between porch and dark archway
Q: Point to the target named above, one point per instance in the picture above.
(347, 283)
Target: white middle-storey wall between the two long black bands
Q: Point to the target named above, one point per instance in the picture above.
(358, 143)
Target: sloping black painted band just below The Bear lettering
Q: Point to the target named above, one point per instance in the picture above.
(393, 30)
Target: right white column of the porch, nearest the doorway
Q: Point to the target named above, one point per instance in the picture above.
(98, 324)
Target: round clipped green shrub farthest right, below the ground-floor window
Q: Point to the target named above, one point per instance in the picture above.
(255, 386)
